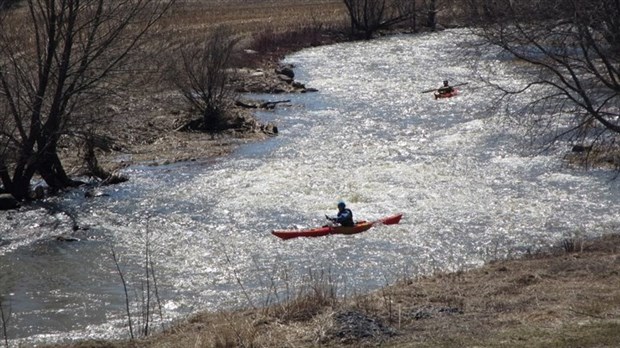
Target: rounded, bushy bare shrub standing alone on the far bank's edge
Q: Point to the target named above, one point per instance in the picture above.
(205, 78)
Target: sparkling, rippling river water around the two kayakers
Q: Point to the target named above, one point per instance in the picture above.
(470, 188)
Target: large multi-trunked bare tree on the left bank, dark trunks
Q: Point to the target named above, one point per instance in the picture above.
(57, 59)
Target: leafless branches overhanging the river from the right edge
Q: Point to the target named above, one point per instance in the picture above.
(572, 50)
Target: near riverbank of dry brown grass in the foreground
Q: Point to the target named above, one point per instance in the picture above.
(567, 296)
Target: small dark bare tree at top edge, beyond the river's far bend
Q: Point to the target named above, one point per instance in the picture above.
(369, 16)
